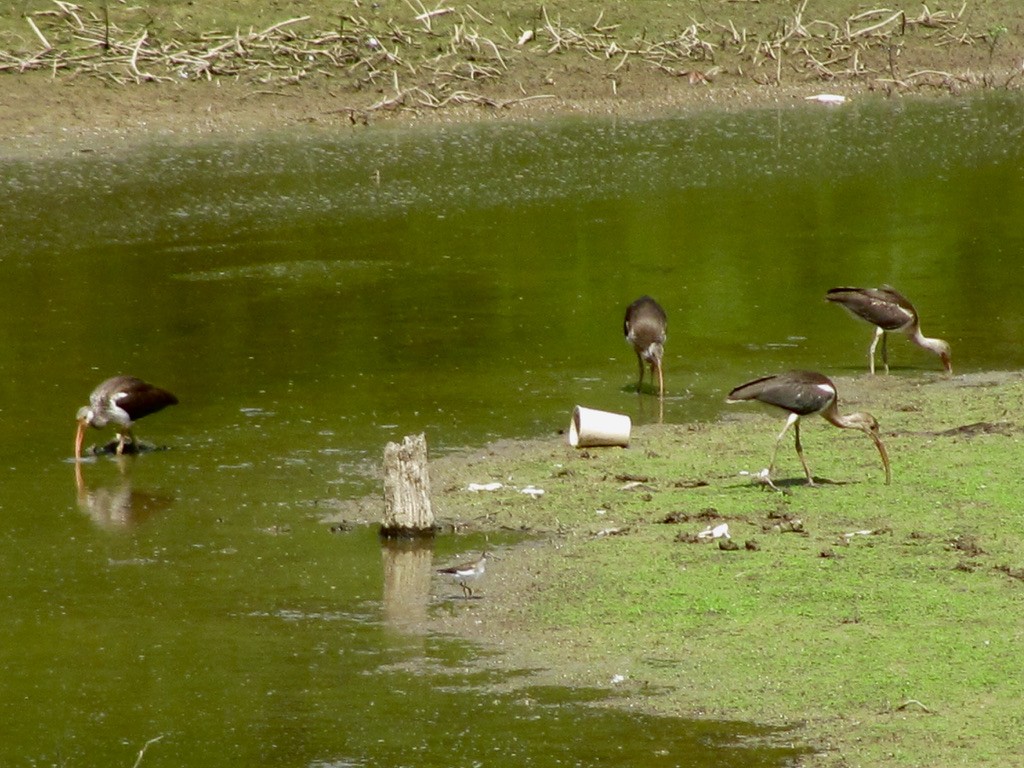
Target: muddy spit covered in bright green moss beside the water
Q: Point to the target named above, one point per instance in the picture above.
(901, 647)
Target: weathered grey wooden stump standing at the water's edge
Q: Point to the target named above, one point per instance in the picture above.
(407, 490)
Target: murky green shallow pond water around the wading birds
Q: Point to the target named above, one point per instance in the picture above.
(311, 298)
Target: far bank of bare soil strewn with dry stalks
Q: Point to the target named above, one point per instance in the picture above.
(99, 74)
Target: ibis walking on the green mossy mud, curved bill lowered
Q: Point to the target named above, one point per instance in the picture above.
(804, 394)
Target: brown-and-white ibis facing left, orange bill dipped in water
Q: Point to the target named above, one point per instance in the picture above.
(121, 402)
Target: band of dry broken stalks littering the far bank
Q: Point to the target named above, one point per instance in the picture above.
(455, 55)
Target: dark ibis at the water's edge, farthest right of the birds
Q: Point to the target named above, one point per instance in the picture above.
(888, 310)
